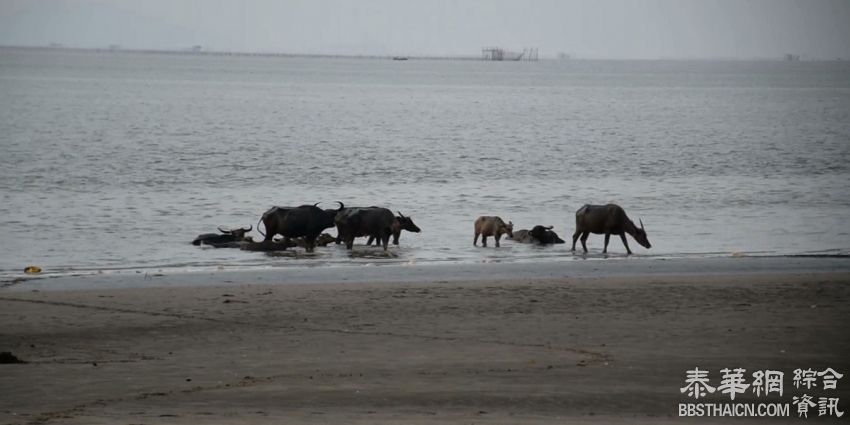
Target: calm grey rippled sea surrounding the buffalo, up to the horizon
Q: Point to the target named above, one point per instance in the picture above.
(115, 161)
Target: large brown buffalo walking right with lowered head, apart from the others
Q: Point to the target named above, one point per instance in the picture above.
(607, 219)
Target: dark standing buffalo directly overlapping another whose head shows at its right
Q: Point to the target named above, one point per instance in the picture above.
(369, 221)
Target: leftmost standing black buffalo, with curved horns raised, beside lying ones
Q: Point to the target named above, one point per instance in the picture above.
(307, 221)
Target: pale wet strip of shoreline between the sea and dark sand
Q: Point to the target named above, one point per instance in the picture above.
(616, 266)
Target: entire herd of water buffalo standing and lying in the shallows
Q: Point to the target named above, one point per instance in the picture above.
(304, 226)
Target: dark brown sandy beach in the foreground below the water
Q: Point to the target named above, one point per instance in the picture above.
(575, 347)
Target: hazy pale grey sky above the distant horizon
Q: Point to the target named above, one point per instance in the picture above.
(584, 28)
